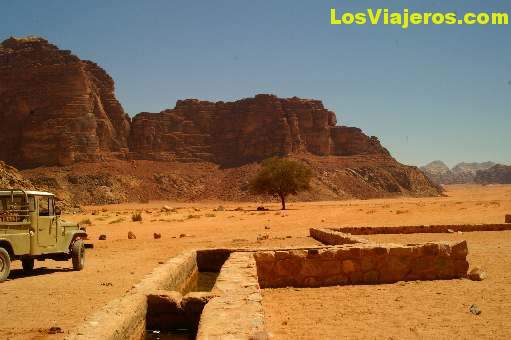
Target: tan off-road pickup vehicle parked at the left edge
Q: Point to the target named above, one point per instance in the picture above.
(31, 229)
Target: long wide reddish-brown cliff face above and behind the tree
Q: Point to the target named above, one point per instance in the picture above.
(245, 130)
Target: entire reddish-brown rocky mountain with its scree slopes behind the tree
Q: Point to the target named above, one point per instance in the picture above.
(61, 123)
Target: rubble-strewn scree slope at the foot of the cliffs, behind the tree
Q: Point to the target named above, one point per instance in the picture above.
(335, 178)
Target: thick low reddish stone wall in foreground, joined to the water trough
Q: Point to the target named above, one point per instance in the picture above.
(362, 264)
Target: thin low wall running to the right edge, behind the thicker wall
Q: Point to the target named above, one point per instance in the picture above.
(417, 229)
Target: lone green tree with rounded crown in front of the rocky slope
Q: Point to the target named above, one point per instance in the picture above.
(281, 177)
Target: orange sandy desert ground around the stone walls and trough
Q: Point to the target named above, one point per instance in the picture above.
(56, 296)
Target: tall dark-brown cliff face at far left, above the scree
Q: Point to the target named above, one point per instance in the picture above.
(55, 109)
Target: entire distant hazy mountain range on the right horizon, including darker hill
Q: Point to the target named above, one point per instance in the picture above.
(486, 172)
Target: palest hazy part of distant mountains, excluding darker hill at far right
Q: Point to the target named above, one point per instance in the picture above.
(461, 173)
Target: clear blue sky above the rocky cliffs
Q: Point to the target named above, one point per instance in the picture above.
(428, 92)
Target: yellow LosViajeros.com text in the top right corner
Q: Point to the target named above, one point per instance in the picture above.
(407, 18)
